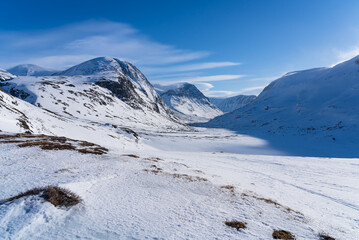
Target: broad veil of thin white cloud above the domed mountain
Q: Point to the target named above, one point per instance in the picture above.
(73, 43)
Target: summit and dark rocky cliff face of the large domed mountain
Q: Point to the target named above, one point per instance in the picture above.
(124, 80)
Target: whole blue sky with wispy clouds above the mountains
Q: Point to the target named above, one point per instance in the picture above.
(224, 47)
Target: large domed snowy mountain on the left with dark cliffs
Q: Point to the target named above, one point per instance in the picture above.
(103, 90)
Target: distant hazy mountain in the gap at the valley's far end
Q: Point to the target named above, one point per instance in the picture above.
(232, 103)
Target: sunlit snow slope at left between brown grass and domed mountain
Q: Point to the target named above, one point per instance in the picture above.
(17, 116)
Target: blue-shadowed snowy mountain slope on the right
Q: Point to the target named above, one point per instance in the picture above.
(320, 100)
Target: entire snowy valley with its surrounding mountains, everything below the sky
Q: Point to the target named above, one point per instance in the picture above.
(164, 162)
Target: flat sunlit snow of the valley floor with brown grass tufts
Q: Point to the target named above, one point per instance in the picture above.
(180, 186)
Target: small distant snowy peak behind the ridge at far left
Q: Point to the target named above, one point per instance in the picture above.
(31, 70)
